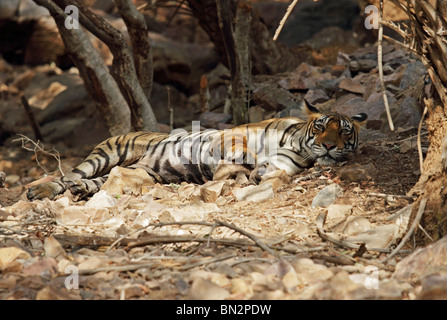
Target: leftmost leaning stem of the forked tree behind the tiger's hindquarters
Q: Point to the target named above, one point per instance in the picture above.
(99, 83)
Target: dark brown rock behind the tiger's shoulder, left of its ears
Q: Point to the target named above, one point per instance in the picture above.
(273, 98)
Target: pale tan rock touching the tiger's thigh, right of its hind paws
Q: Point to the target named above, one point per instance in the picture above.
(123, 180)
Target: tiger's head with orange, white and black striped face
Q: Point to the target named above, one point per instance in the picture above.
(330, 137)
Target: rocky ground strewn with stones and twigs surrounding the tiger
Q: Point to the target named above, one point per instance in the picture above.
(301, 237)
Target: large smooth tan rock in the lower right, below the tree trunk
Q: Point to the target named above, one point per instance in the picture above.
(416, 265)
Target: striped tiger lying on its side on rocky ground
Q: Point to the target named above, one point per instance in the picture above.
(290, 144)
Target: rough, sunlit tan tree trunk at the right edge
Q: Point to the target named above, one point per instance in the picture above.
(426, 21)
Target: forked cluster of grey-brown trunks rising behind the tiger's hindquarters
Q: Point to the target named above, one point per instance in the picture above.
(129, 81)
